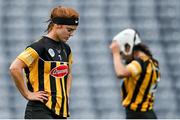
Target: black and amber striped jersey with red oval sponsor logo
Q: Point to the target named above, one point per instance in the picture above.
(48, 64)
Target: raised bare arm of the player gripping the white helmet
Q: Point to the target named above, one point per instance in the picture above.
(120, 69)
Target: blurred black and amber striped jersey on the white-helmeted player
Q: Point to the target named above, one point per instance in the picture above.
(138, 90)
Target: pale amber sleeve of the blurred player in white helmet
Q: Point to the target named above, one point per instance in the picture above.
(135, 68)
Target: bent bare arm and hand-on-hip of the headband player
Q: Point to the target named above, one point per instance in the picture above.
(16, 71)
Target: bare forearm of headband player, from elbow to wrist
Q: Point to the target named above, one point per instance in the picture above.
(17, 75)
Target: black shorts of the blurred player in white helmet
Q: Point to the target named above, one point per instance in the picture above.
(130, 114)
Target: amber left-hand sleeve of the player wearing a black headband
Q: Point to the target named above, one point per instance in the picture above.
(28, 56)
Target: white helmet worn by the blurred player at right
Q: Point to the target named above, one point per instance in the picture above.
(127, 37)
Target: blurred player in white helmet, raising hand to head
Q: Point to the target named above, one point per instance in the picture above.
(140, 74)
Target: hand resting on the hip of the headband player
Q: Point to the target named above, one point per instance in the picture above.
(38, 96)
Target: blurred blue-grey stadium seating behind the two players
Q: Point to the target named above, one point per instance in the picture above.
(95, 90)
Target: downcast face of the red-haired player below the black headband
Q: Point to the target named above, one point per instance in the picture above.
(65, 32)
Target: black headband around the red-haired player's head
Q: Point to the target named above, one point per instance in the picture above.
(65, 21)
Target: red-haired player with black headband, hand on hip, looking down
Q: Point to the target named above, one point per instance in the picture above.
(47, 64)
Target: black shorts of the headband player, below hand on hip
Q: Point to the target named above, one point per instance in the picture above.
(38, 110)
